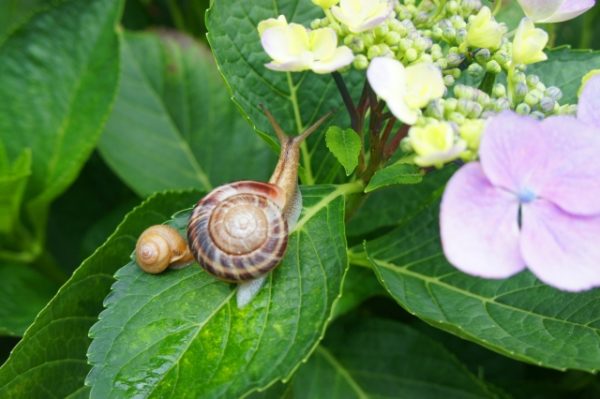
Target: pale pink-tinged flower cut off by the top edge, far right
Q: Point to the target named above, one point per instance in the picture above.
(547, 11)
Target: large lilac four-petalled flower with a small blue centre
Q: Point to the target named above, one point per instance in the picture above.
(533, 200)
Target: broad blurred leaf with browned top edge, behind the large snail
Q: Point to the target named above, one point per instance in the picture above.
(174, 125)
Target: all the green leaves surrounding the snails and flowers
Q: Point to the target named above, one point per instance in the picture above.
(82, 86)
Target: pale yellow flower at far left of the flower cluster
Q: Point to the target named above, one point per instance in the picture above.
(293, 48)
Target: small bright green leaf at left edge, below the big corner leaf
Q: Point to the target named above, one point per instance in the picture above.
(13, 179)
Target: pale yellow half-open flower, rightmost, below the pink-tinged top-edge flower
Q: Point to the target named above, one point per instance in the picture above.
(529, 43)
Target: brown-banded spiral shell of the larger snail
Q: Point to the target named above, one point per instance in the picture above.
(237, 232)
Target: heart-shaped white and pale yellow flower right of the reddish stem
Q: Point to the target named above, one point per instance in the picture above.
(405, 90)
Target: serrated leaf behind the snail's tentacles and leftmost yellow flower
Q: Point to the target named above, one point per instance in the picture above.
(297, 99)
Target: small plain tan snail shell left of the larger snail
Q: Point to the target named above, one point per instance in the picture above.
(159, 247)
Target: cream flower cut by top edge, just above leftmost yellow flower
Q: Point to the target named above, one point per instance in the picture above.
(362, 15)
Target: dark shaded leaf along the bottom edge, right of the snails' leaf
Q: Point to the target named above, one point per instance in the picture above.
(376, 358)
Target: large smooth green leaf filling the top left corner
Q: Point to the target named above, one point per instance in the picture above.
(58, 78)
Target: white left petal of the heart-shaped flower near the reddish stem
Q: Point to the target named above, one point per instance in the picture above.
(387, 77)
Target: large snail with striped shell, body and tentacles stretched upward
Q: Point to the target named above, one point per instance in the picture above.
(239, 231)
